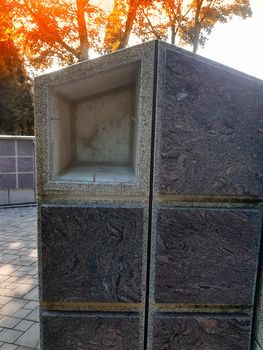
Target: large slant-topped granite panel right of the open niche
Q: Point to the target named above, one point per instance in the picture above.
(210, 130)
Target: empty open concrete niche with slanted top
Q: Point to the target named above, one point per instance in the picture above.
(94, 127)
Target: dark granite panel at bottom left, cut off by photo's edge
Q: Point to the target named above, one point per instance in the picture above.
(73, 331)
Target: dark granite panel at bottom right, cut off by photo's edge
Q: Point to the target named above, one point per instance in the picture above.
(201, 332)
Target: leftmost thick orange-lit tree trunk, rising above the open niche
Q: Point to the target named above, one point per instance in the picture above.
(82, 28)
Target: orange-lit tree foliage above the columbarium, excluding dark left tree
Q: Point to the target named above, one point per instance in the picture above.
(67, 31)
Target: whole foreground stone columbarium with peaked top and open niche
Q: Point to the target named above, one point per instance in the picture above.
(150, 170)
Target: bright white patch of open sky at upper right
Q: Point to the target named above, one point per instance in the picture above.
(239, 43)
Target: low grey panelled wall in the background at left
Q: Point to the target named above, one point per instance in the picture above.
(17, 169)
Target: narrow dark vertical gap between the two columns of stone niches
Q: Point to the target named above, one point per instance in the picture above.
(151, 195)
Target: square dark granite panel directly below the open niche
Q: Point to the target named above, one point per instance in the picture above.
(92, 254)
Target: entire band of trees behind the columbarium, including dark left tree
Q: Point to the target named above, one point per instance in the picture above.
(39, 33)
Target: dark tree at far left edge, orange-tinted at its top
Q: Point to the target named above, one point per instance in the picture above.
(16, 102)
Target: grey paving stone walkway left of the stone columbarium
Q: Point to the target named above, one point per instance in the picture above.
(19, 318)
